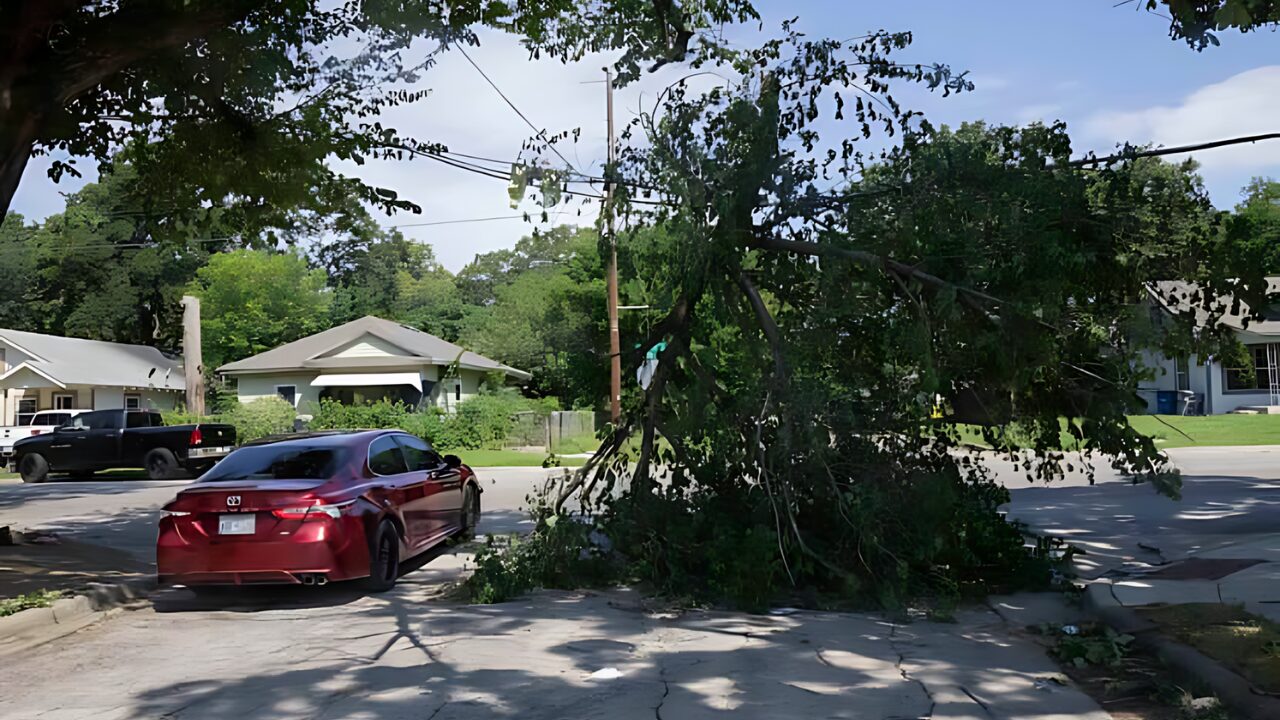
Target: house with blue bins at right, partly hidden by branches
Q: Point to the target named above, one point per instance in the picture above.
(1204, 385)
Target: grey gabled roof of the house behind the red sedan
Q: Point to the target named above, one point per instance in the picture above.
(422, 348)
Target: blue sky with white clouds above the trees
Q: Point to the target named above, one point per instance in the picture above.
(1112, 74)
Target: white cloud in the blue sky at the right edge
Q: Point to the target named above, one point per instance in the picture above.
(1244, 104)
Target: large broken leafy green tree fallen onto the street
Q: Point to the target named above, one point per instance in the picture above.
(836, 317)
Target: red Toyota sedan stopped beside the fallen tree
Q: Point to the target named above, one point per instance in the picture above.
(317, 508)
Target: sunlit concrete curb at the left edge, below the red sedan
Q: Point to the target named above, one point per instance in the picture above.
(39, 626)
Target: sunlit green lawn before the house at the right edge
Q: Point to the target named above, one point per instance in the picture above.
(1177, 431)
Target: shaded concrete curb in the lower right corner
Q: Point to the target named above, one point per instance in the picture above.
(1186, 663)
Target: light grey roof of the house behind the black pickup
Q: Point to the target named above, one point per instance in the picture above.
(72, 361)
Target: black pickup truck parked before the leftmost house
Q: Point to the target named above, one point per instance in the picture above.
(124, 439)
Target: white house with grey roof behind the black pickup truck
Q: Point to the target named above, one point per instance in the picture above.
(44, 372)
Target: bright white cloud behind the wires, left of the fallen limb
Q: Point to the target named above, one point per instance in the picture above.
(469, 117)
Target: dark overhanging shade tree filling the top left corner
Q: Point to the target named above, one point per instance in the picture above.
(246, 102)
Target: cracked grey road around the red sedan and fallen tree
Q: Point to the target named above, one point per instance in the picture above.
(336, 653)
